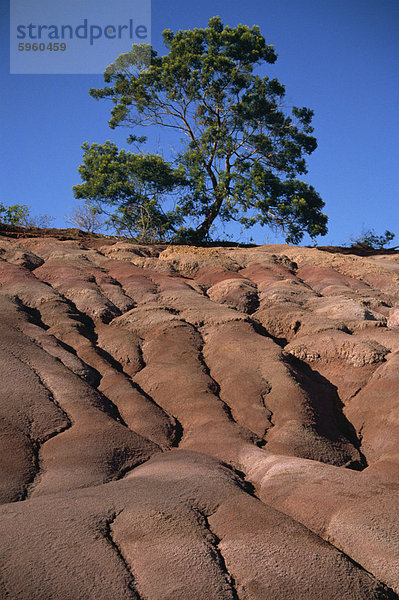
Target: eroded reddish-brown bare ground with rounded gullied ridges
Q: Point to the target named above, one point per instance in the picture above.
(197, 424)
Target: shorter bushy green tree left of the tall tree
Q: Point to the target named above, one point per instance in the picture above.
(127, 188)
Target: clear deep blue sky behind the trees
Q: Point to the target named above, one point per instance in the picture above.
(338, 57)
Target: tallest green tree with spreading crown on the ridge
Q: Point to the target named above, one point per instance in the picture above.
(242, 154)
